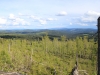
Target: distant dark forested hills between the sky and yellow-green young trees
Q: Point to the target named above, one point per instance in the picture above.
(52, 33)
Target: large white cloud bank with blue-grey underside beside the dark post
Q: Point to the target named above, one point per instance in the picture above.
(88, 19)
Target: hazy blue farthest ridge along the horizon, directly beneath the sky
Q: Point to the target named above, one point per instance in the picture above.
(56, 29)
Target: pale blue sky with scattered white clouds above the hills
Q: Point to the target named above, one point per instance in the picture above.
(45, 14)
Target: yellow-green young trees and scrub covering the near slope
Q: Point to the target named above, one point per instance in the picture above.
(48, 57)
